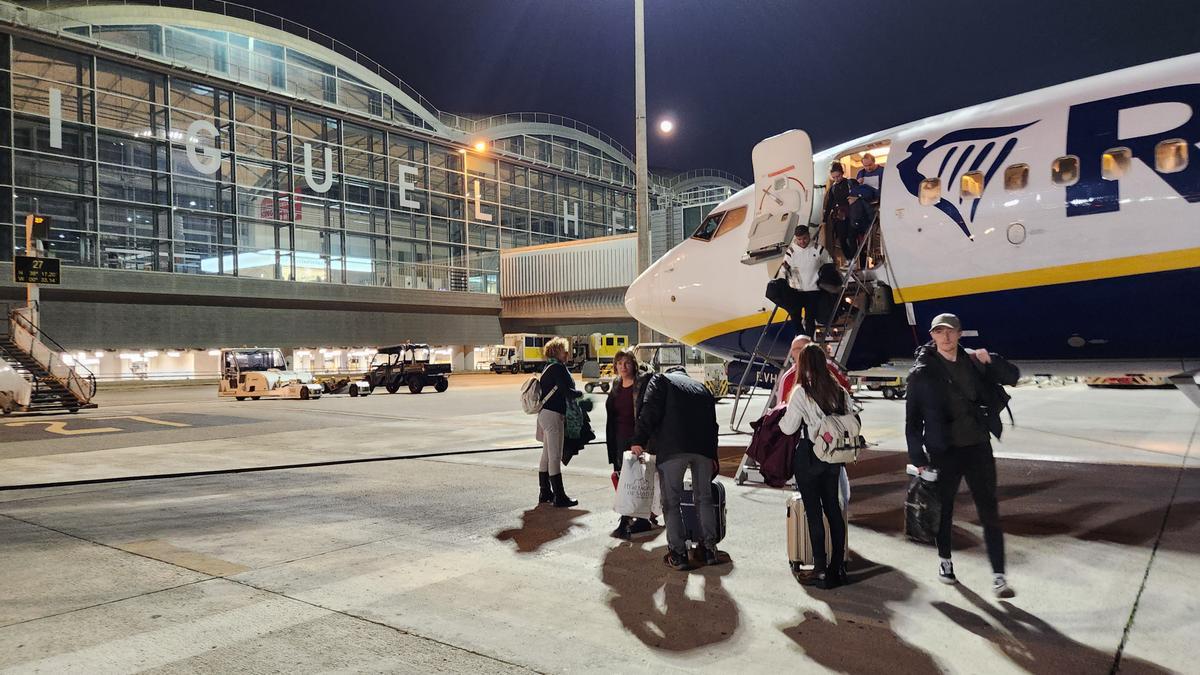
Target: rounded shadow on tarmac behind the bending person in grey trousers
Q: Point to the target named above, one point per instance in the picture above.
(637, 576)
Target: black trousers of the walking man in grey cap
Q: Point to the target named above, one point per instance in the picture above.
(979, 467)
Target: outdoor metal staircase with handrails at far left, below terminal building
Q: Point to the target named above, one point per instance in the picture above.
(34, 375)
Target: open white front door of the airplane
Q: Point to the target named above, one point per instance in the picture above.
(783, 182)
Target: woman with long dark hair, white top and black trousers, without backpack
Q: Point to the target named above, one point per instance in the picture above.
(818, 395)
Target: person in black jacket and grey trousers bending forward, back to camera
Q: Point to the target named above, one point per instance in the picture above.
(679, 419)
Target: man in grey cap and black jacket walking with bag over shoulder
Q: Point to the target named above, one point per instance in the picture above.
(955, 402)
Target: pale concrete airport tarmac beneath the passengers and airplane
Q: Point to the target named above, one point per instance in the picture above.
(411, 543)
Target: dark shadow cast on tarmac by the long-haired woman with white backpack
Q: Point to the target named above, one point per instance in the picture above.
(863, 619)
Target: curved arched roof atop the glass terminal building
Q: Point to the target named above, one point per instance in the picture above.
(266, 51)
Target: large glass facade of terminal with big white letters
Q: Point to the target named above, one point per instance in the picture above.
(147, 170)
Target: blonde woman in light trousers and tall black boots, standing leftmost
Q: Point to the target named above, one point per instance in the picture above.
(559, 387)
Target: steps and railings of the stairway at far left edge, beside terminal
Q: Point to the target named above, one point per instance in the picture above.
(70, 390)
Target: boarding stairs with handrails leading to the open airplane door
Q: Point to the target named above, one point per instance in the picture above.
(861, 295)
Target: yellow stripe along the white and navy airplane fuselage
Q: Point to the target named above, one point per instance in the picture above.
(1149, 264)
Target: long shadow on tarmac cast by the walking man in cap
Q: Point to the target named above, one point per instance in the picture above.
(1033, 644)
